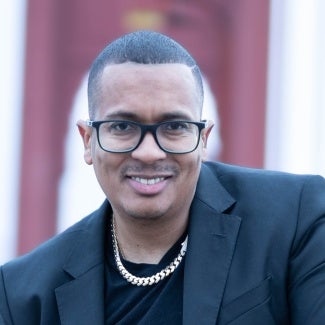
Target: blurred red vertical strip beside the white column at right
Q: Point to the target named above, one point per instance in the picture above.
(244, 104)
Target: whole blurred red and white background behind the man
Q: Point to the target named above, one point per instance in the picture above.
(263, 63)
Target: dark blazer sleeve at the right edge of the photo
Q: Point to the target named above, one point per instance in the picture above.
(306, 283)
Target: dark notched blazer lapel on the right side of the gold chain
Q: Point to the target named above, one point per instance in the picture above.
(212, 239)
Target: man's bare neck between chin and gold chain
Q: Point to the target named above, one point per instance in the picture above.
(147, 241)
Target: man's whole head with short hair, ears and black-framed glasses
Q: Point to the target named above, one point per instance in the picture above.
(142, 176)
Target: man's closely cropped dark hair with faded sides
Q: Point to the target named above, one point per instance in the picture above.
(144, 47)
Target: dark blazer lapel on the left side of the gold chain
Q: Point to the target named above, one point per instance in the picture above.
(81, 300)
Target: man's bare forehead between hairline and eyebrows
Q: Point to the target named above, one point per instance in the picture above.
(149, 86)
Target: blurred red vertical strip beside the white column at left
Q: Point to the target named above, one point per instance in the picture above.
(39, 166)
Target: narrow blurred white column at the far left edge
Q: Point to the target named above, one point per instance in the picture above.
(12, 29)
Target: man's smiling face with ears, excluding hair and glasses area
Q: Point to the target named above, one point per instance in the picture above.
(146, 183)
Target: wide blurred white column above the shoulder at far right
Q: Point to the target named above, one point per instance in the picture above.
(295, 134)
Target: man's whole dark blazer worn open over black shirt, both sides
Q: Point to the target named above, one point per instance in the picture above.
(256, 255)
